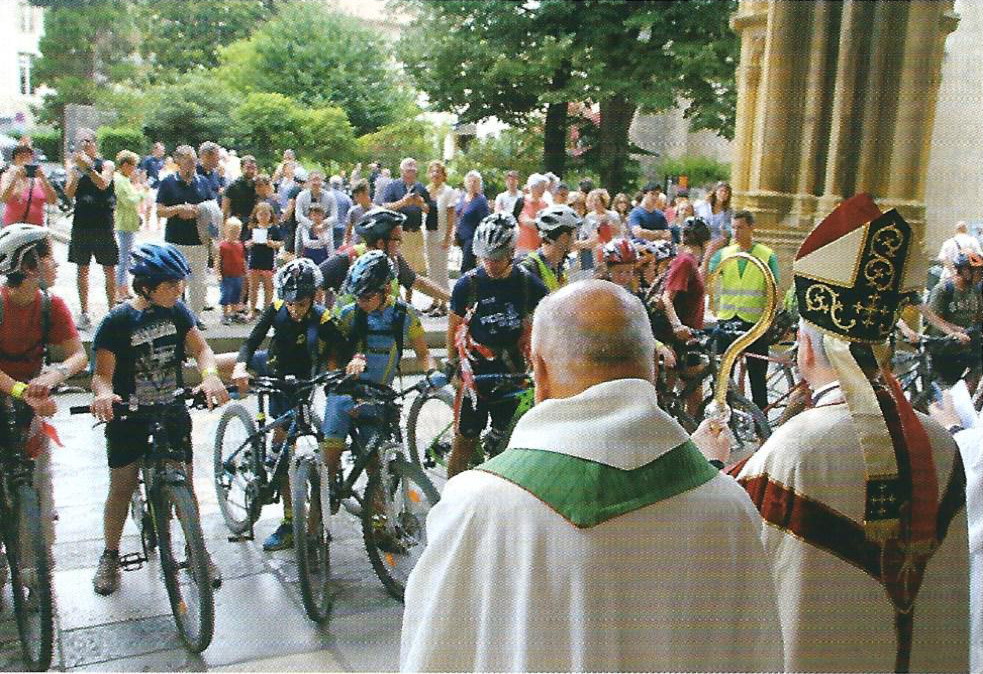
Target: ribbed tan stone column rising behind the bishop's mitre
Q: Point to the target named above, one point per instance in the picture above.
(841, 101)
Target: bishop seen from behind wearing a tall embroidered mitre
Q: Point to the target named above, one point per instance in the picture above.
(863, 499)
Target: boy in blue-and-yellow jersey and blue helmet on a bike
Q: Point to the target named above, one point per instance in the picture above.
(375, 324)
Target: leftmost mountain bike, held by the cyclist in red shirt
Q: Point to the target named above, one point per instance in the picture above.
(28, 557)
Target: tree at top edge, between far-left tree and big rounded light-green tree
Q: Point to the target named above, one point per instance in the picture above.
(180, 36)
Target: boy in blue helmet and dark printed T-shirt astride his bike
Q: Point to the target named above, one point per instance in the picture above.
(140, 348)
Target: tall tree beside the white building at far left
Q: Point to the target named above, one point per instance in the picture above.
(85, 47)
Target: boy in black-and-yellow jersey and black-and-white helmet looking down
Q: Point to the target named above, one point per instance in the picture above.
(303, 335)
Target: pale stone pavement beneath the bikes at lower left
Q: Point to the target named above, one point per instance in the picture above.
(260, 623)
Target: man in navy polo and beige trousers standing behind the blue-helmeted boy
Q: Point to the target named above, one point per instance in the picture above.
(177, 200)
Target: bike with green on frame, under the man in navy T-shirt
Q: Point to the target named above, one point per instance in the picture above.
(430, 423)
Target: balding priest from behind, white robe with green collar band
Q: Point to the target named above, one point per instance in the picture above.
(601, 540)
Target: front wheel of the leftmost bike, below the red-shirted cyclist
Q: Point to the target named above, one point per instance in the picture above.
(30, 580)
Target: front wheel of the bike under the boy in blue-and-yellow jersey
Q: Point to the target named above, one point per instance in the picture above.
(395, 539)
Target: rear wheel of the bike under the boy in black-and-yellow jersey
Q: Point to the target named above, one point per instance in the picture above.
(234, 477)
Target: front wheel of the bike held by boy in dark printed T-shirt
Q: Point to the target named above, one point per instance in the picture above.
(192, 602)
